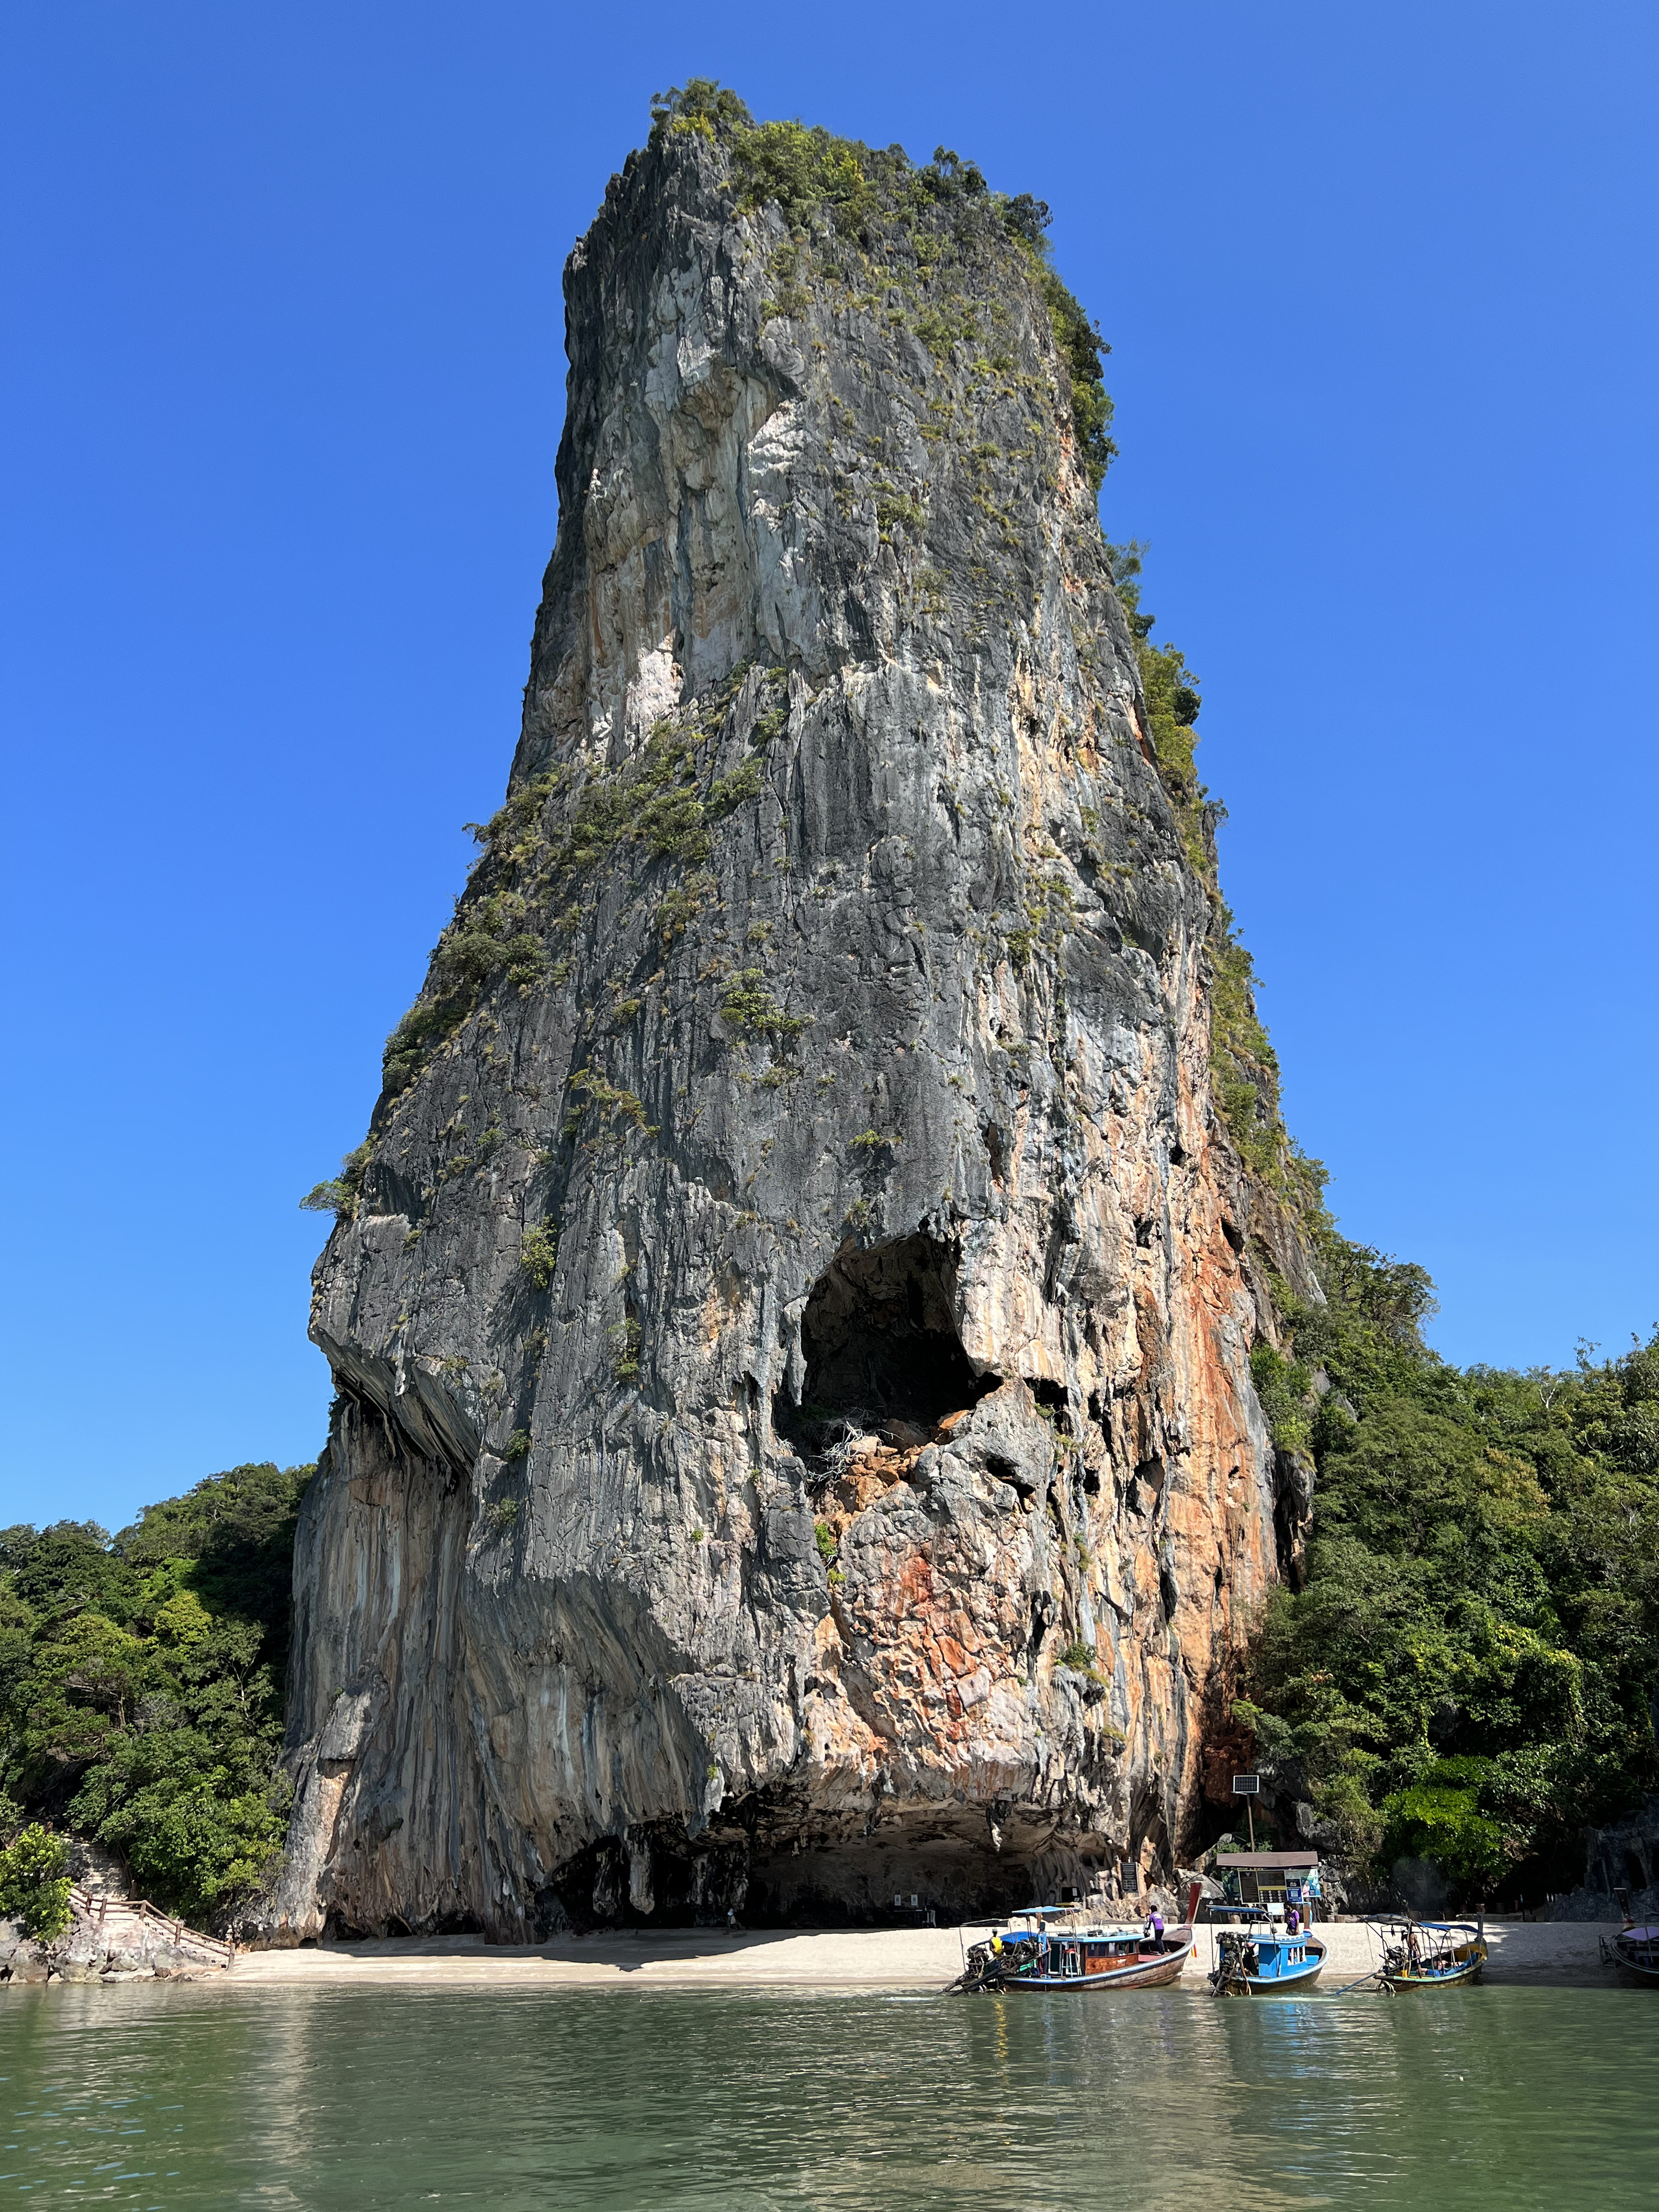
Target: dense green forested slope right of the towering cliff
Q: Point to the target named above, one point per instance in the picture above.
(1472, 1662)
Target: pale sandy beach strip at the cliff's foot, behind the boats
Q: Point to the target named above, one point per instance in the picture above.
(1541, 1954)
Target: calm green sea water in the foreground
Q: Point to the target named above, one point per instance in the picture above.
(185, 2096)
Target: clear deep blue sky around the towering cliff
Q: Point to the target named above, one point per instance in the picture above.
(282, 395)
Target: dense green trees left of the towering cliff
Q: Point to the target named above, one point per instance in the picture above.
(140, 1682)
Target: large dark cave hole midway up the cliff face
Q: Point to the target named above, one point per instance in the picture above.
(881, 1348)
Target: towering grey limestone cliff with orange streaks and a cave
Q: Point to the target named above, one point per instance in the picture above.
(793, 1317)
